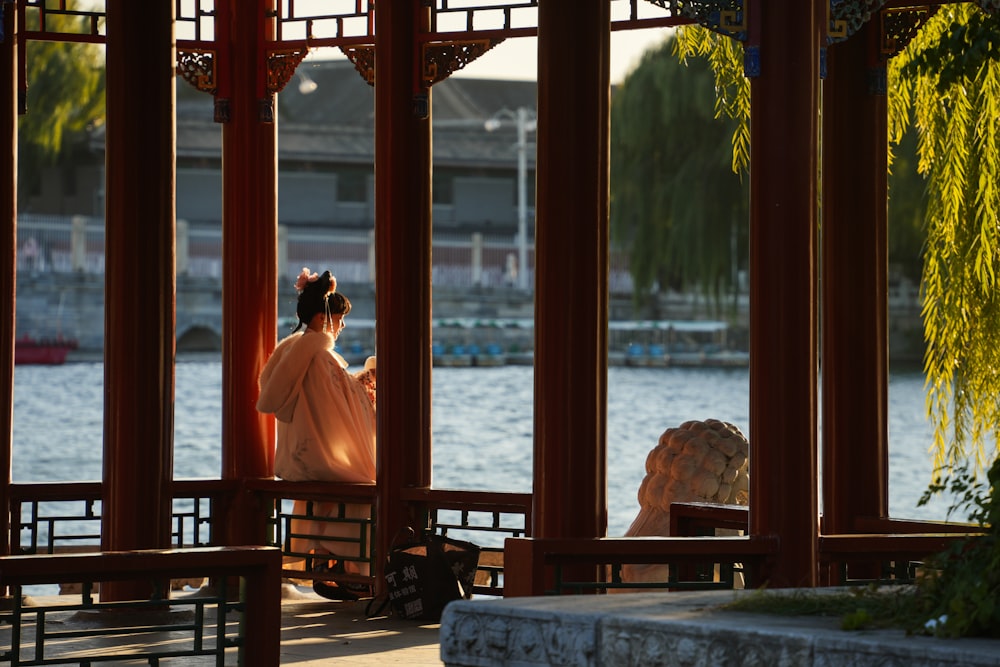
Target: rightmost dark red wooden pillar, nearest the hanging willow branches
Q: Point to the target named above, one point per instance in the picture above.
(855, 284)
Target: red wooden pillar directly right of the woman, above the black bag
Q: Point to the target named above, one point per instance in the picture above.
(402, 265)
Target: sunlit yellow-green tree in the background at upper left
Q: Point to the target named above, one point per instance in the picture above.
(65, 98)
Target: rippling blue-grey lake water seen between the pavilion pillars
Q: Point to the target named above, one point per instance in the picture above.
(482, 426)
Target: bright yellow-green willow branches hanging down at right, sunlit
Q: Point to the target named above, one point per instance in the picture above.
(946, 85)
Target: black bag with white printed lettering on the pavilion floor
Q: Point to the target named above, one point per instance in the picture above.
(424, 575)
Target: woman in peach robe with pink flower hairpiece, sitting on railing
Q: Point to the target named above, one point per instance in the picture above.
(325, 429)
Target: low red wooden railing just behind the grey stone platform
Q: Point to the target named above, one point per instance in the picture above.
(888, 551)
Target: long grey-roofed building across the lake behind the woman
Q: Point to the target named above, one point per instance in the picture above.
(326, 155)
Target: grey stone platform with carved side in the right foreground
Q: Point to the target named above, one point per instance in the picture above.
(683, 628)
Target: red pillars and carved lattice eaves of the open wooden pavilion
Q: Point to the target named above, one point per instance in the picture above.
(243, 53)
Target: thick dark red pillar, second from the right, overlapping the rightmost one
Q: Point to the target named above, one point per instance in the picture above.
(784, 43)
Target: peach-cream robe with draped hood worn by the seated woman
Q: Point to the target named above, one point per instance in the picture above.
(326, 432)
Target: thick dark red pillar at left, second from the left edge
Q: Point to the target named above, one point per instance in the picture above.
(139, 318)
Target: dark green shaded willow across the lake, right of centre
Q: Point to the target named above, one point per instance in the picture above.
(676, 204)
